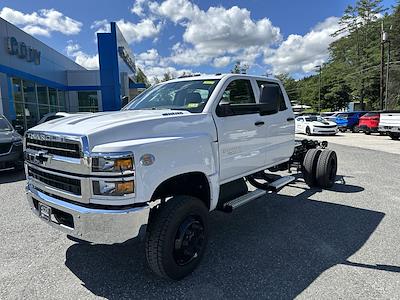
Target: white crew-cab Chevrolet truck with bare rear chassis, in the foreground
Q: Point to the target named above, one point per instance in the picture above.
(178, 151)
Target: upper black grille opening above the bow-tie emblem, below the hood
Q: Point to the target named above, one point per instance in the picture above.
(66, 149)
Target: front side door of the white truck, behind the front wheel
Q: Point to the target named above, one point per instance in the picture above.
(241, 130)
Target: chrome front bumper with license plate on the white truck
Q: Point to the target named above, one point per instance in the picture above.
(100, 226)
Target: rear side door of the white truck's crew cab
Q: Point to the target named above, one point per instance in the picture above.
(279, 126)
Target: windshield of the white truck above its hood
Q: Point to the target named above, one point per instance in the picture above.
(182, 95)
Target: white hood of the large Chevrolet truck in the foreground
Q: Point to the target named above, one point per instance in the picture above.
(107, 127)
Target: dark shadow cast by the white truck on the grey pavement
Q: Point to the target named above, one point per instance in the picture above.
(274, 247)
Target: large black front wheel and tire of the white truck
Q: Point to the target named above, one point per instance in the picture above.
(170, 252)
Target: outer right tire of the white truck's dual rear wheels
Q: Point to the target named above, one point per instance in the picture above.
(326, 169)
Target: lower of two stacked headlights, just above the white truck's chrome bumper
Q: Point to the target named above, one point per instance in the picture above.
(113, 188)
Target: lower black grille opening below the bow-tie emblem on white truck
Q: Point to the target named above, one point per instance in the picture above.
(70, 185)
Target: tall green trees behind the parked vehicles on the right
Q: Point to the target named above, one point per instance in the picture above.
(353, 71)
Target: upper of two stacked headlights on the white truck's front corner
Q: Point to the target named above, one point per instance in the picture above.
(113, 162)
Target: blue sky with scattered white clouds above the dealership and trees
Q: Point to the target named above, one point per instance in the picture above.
(189, 35)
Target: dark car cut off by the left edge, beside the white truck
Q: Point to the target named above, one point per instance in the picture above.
(11, 149)
